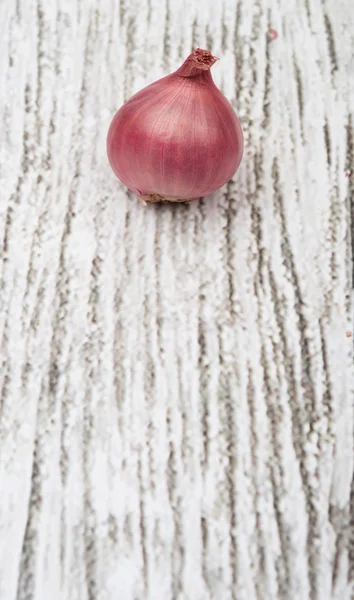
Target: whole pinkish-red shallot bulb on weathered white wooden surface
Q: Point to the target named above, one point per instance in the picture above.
(177, 139)
